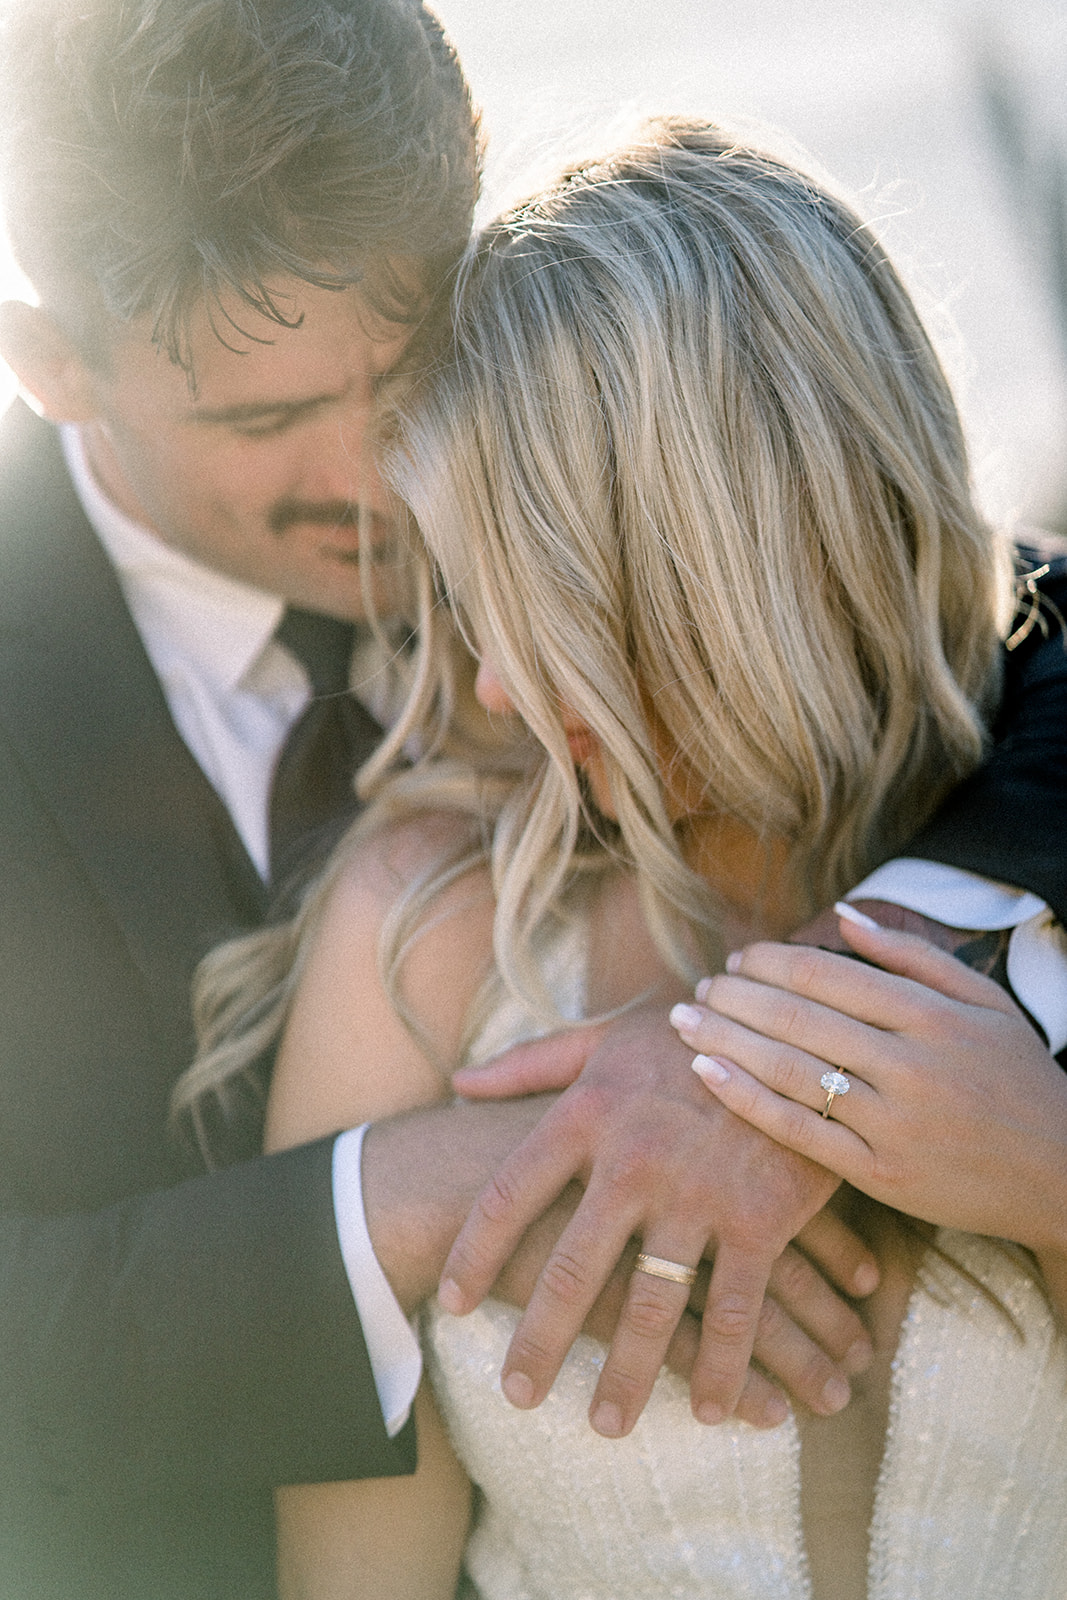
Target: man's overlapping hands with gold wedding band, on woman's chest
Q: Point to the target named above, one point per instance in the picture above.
(661, 1164)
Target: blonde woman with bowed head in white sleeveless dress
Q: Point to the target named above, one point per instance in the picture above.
(697, 490)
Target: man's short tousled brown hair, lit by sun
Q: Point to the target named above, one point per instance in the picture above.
(162, 154)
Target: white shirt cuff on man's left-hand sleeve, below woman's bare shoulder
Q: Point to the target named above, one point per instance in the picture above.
(391, 1343)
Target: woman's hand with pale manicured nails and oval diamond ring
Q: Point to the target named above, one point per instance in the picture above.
(956, 1111)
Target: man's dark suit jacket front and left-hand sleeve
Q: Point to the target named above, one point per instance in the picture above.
(169, 1351)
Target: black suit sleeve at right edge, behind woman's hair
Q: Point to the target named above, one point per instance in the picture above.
(1010, 820)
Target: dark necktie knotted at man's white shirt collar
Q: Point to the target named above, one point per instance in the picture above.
(311, 796)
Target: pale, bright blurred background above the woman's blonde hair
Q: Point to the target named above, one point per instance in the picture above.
(945, 121)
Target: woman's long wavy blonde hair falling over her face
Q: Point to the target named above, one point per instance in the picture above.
(687, 465)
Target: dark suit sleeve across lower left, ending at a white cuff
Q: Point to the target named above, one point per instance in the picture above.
(199, 1335)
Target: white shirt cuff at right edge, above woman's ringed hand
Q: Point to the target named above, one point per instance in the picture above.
(1037, 951)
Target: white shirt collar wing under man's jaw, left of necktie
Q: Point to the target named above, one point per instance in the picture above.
(215, 623)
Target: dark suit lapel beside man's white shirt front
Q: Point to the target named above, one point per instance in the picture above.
(92, 726)
